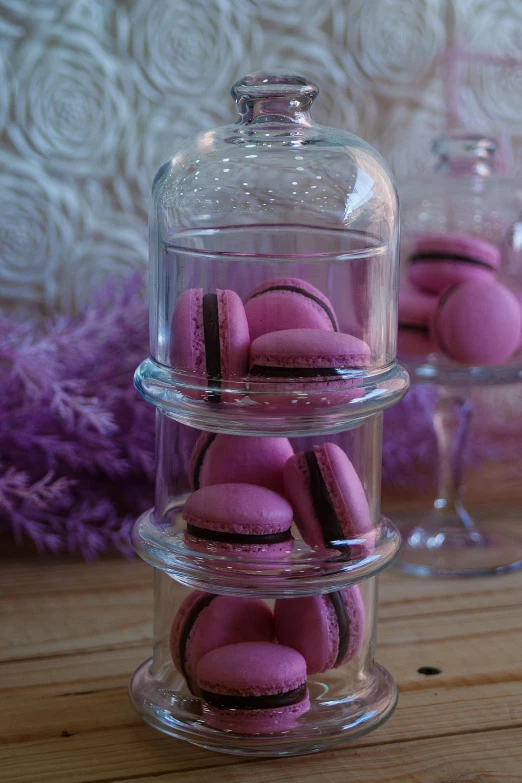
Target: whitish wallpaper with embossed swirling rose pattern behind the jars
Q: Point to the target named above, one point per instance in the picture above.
(95, 94)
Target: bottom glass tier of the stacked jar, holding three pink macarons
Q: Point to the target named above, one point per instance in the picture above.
(215, 675)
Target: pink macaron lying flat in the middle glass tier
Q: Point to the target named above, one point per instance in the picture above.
(239, 518)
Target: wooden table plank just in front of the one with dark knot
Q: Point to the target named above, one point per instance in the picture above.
(38, 713)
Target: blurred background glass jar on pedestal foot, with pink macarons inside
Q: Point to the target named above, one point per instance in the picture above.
(460, 327)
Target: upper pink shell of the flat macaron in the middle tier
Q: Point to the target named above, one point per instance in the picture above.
(245, 509)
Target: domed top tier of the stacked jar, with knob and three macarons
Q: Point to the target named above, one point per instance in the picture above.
(274, 271)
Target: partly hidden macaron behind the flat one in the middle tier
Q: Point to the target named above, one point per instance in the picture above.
(223, 459)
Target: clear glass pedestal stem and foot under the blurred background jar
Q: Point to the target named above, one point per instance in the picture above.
(447, 541)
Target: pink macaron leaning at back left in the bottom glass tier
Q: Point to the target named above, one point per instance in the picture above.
(205, 621)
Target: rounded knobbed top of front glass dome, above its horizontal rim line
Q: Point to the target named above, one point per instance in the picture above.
(276, 165)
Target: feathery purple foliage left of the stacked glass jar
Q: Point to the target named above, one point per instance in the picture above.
(77, 442)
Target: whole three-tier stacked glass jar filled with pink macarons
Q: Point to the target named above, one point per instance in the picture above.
(273, 327)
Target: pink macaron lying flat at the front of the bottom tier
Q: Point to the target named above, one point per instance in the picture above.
(253, 688)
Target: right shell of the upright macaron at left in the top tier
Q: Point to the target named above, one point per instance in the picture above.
(234, 336)
